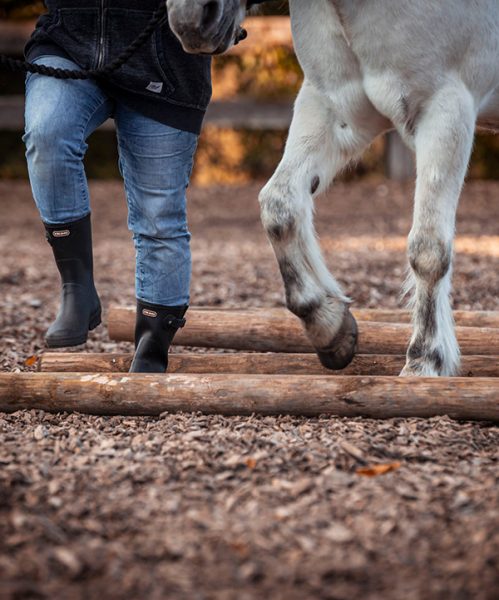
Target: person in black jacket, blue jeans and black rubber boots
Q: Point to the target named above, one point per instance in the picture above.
(157, 99)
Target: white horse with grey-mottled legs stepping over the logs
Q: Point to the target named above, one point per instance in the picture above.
(428, 69)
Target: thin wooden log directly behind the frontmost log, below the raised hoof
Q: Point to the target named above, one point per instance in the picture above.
(252, 363)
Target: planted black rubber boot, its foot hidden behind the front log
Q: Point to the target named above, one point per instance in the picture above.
(155, 329)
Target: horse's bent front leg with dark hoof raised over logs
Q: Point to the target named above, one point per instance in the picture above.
(323, 138)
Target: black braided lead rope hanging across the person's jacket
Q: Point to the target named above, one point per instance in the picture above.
(158, 18)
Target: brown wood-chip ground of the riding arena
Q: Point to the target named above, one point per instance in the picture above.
(196, 507)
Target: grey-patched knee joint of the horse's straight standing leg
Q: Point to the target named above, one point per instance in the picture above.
(429, 257)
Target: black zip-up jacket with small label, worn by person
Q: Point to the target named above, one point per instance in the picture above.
(160, 80)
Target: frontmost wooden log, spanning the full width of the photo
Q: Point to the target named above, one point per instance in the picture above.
(307, 395)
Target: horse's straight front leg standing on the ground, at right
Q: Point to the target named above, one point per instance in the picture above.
(443, 142)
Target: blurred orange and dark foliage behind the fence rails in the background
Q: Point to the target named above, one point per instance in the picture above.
(224, 155)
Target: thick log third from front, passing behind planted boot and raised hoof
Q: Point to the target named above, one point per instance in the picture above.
(268, 332)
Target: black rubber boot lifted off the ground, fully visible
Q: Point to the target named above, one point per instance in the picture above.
(80, 308)
